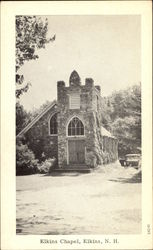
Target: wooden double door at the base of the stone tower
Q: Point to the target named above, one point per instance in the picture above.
(76, 151)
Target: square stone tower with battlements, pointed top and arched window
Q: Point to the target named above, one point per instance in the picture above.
(78, 121)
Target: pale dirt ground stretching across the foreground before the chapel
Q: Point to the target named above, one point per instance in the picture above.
(107, 201)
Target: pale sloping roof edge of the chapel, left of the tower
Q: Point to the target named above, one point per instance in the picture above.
(37, 118)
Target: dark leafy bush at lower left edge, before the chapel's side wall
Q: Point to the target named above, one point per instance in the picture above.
(25, 160)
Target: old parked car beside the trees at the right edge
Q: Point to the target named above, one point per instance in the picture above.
(133, 160)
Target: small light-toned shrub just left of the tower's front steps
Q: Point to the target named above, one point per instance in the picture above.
(47, 165)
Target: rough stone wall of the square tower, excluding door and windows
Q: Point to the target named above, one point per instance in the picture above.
(89, 113)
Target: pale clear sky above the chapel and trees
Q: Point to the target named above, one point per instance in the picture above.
(106, 48)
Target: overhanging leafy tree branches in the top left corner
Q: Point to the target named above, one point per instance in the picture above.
(31, 34)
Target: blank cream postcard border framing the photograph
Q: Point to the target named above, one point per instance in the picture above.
(9, 9)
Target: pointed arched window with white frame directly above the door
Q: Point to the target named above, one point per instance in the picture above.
(75, 127)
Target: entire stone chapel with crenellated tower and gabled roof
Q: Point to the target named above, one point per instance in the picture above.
(70, 129)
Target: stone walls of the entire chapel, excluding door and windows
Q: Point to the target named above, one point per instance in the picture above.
(98, 149)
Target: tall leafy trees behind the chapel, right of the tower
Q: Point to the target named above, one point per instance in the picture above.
(121, 114)
